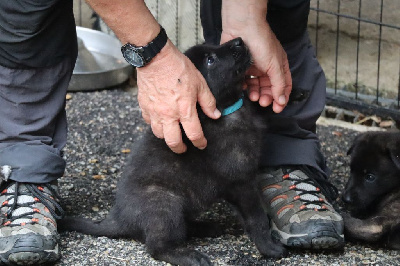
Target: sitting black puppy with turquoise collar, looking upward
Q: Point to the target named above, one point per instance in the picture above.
(161, 193)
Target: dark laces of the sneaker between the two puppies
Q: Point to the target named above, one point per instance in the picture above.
(317, 180)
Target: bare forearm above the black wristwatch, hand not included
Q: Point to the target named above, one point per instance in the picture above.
(130, 20)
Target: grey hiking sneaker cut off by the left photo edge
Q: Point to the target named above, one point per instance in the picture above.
(28, 229)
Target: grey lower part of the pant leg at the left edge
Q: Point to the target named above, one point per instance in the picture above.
(33, 125)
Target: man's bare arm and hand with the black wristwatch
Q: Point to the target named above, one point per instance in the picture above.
(170, 85)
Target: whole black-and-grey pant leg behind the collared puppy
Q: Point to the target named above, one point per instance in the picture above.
(291, 139)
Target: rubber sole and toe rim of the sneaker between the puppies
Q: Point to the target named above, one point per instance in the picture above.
(327, 238)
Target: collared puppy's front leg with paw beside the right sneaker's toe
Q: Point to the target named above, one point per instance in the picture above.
(247, 202)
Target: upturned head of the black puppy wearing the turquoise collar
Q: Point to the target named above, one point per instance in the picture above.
(223, 67)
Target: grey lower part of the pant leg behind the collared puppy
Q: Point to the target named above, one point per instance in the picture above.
(291, 139)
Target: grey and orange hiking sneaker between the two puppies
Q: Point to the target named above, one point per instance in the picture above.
(297, 200)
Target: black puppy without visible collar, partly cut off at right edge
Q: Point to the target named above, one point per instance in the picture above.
(372, 194)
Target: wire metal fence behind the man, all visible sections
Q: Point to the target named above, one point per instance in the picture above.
(357, 43)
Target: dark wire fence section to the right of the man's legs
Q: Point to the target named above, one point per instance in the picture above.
(358, 44)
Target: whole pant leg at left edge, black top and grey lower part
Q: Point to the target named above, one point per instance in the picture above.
(33, 85)
